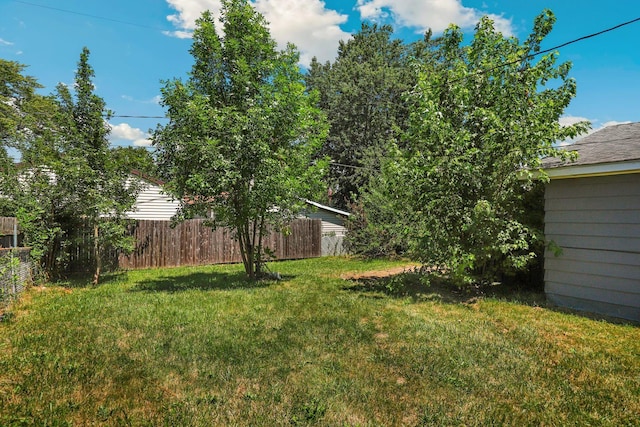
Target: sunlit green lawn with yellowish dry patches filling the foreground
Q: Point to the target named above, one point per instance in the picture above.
(204, 347)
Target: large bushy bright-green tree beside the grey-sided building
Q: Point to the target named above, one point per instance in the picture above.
(487, 110)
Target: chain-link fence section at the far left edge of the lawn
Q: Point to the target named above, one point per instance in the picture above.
(16, 272)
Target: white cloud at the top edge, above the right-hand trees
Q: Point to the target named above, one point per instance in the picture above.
(425, 14)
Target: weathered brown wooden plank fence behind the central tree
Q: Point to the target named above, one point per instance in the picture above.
(192, 242)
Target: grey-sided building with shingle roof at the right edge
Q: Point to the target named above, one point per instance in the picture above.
(592, 213)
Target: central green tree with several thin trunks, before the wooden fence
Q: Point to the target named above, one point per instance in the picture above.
(242, 130)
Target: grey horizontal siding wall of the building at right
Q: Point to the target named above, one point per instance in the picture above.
(596, 223)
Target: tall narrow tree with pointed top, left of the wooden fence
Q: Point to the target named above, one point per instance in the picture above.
(98, 189)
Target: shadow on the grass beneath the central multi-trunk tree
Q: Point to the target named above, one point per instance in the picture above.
(200, 281)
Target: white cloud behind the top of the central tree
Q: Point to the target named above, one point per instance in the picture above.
(313, 27)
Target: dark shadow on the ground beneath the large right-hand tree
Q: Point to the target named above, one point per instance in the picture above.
(412, 285)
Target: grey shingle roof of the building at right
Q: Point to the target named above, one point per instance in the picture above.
(619, 143)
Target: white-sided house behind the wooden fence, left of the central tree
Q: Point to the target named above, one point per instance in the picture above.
(152, 202)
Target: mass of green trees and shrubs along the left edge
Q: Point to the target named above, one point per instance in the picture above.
(68, 178)
